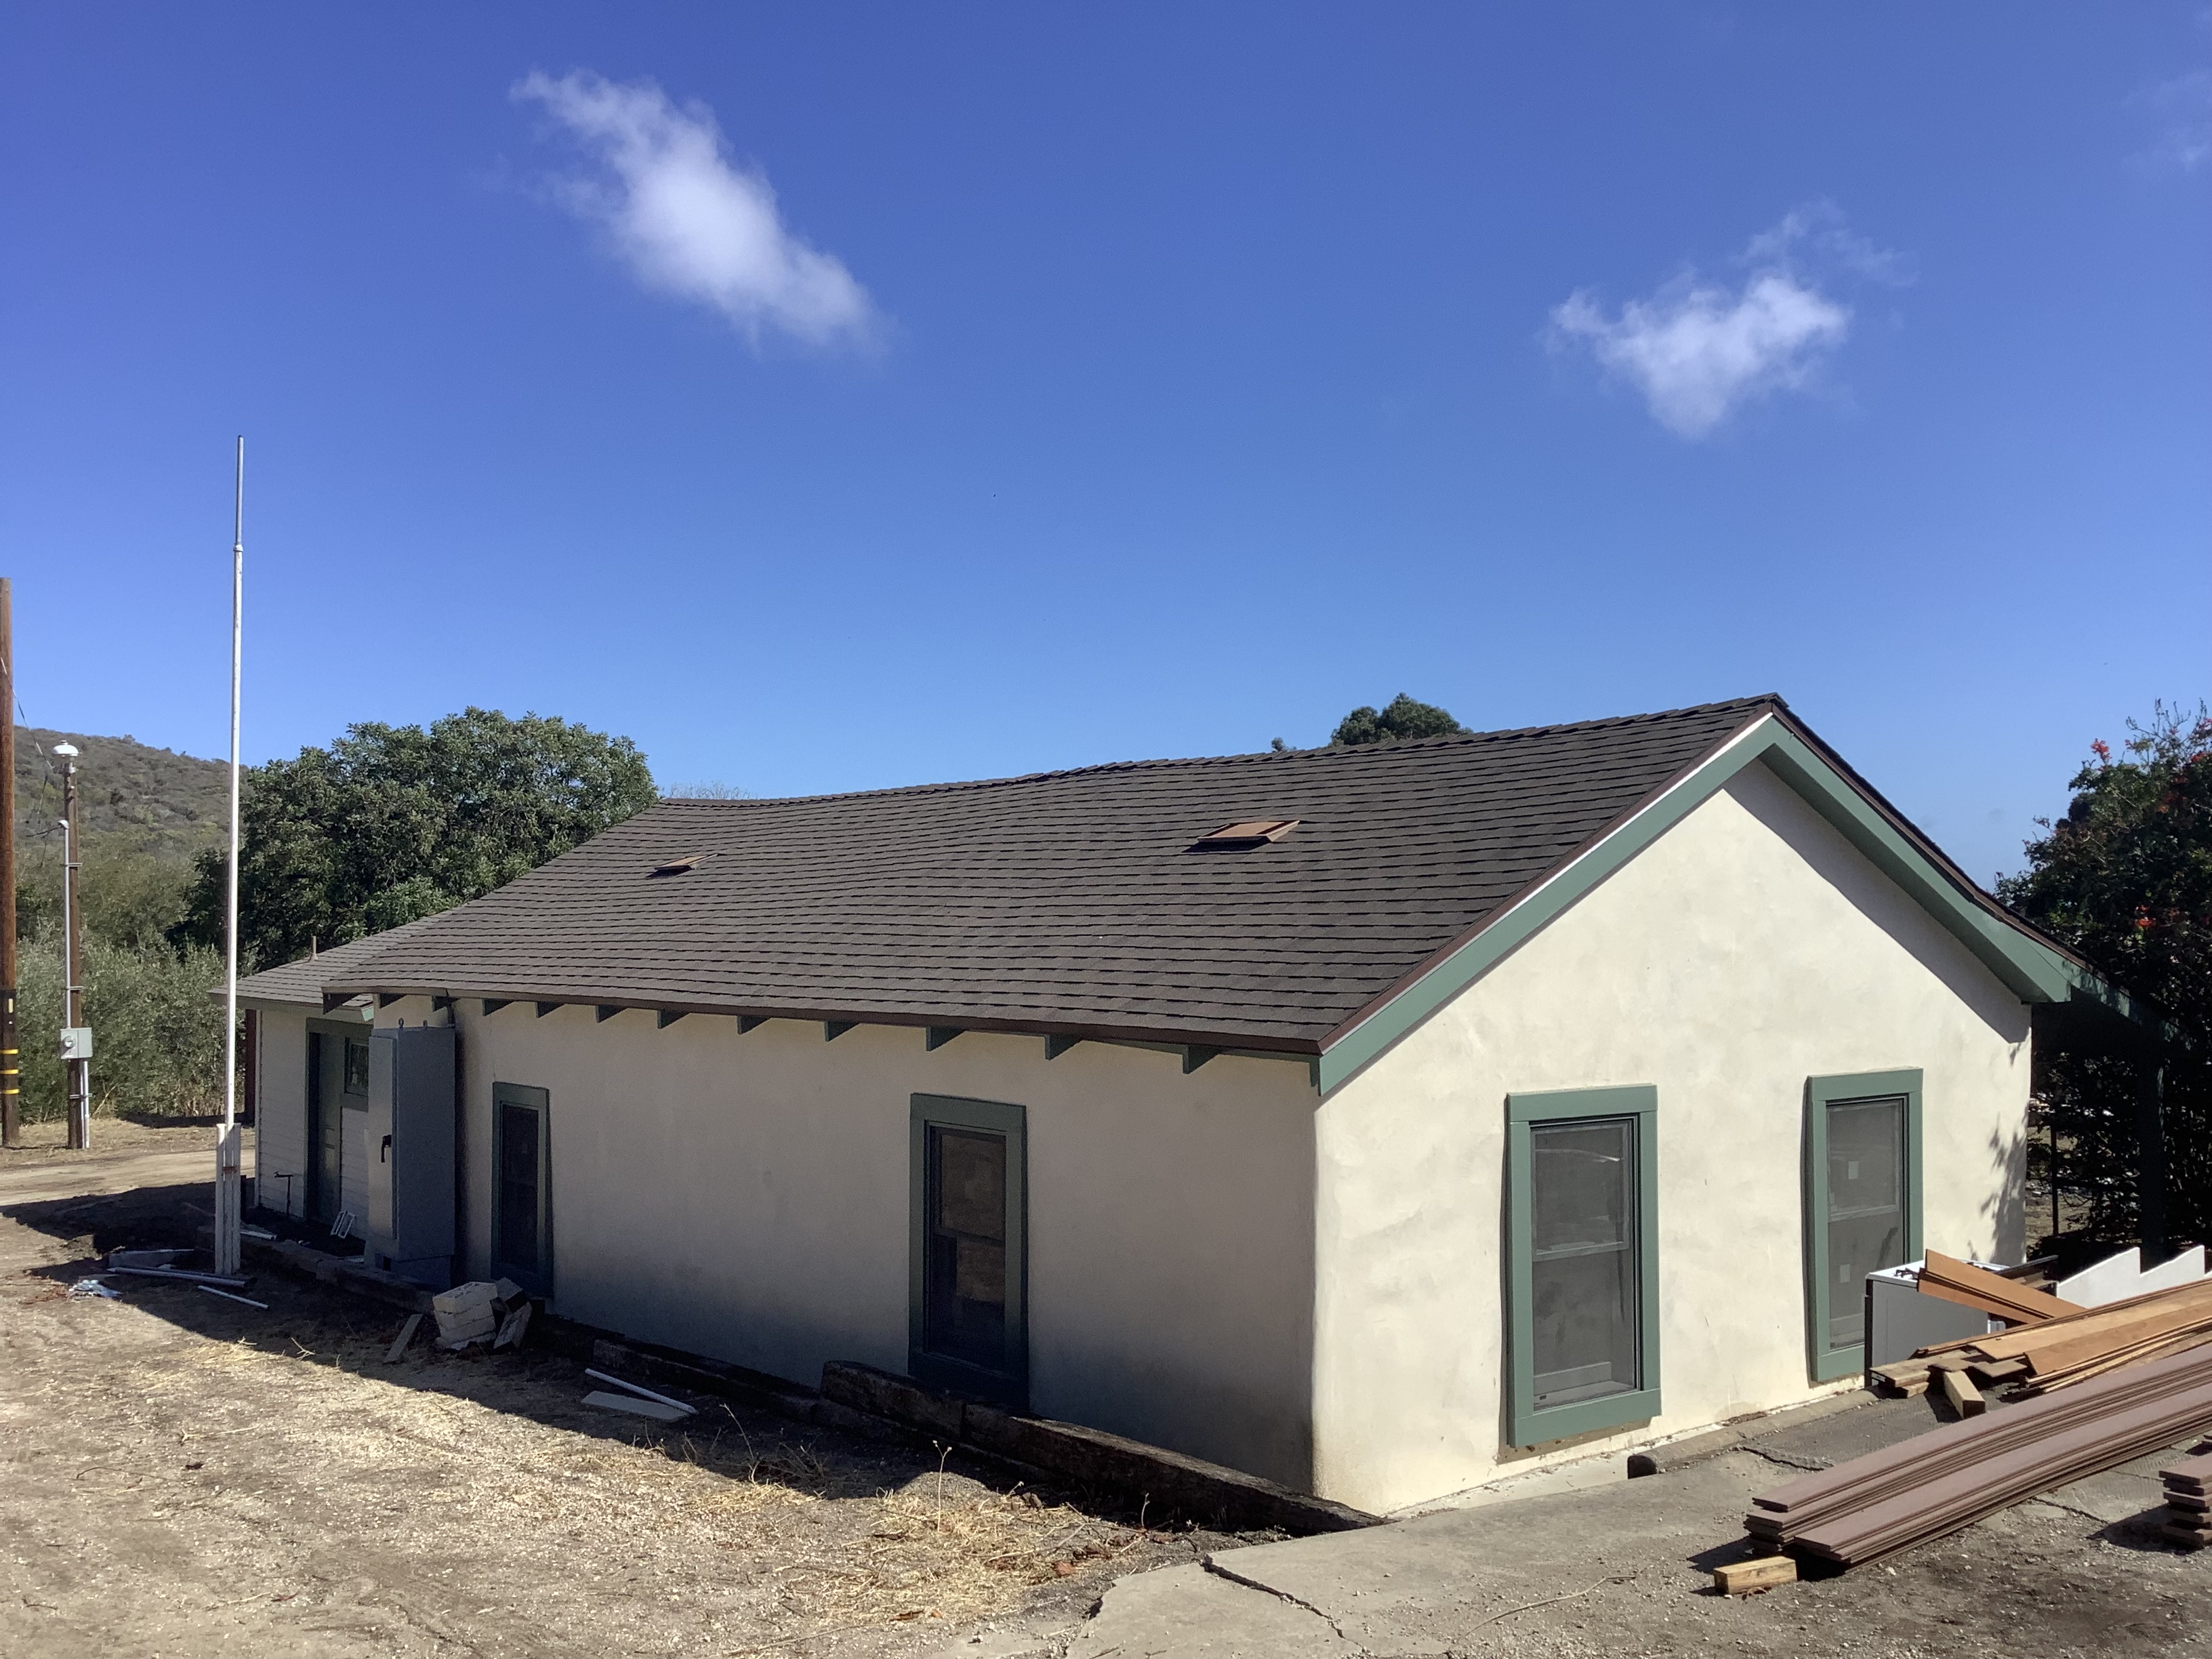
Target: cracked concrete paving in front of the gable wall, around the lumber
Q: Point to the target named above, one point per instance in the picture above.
(1627, 1569)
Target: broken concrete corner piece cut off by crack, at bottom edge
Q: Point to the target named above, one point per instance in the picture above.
(1191, 1614)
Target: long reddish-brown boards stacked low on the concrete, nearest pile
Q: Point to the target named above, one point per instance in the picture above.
(1968, 1470)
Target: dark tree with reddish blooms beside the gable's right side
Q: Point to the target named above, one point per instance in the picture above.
(2127, 879)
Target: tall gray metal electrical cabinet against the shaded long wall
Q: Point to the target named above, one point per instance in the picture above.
(413, 1154)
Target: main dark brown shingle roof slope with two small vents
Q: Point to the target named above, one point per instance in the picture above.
(1067, 901)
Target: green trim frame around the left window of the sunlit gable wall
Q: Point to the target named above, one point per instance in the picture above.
(1530, 1426)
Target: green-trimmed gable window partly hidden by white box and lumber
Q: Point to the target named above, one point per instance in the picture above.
(1861, 1204)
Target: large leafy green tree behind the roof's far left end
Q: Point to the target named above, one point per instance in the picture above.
(399, 822)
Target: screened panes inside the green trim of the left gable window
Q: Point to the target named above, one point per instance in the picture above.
(1585, 1269)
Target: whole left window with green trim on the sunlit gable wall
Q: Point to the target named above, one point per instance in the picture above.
(1583, 1262)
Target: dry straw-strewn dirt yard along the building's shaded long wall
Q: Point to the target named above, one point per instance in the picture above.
(191, 1477)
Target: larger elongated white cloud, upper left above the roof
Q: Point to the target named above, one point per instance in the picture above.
(691, 222)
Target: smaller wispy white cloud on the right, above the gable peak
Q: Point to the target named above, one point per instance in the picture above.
(1702, 351)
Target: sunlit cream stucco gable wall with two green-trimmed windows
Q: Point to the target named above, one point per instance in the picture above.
(1744, 952)
